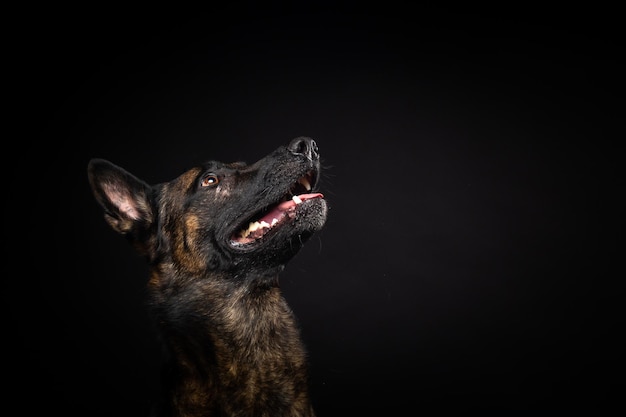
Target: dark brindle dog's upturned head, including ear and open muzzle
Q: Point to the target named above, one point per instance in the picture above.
(229, 217)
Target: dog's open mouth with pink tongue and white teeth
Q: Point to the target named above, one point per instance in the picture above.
(277, 214)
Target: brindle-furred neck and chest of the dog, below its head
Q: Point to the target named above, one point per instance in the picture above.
(243, 356)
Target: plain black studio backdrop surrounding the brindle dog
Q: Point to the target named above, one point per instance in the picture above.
(468, 163)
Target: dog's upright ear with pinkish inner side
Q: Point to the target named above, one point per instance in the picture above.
(126, 199)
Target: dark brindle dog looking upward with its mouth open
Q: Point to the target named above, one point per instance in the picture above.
(216, 239)
